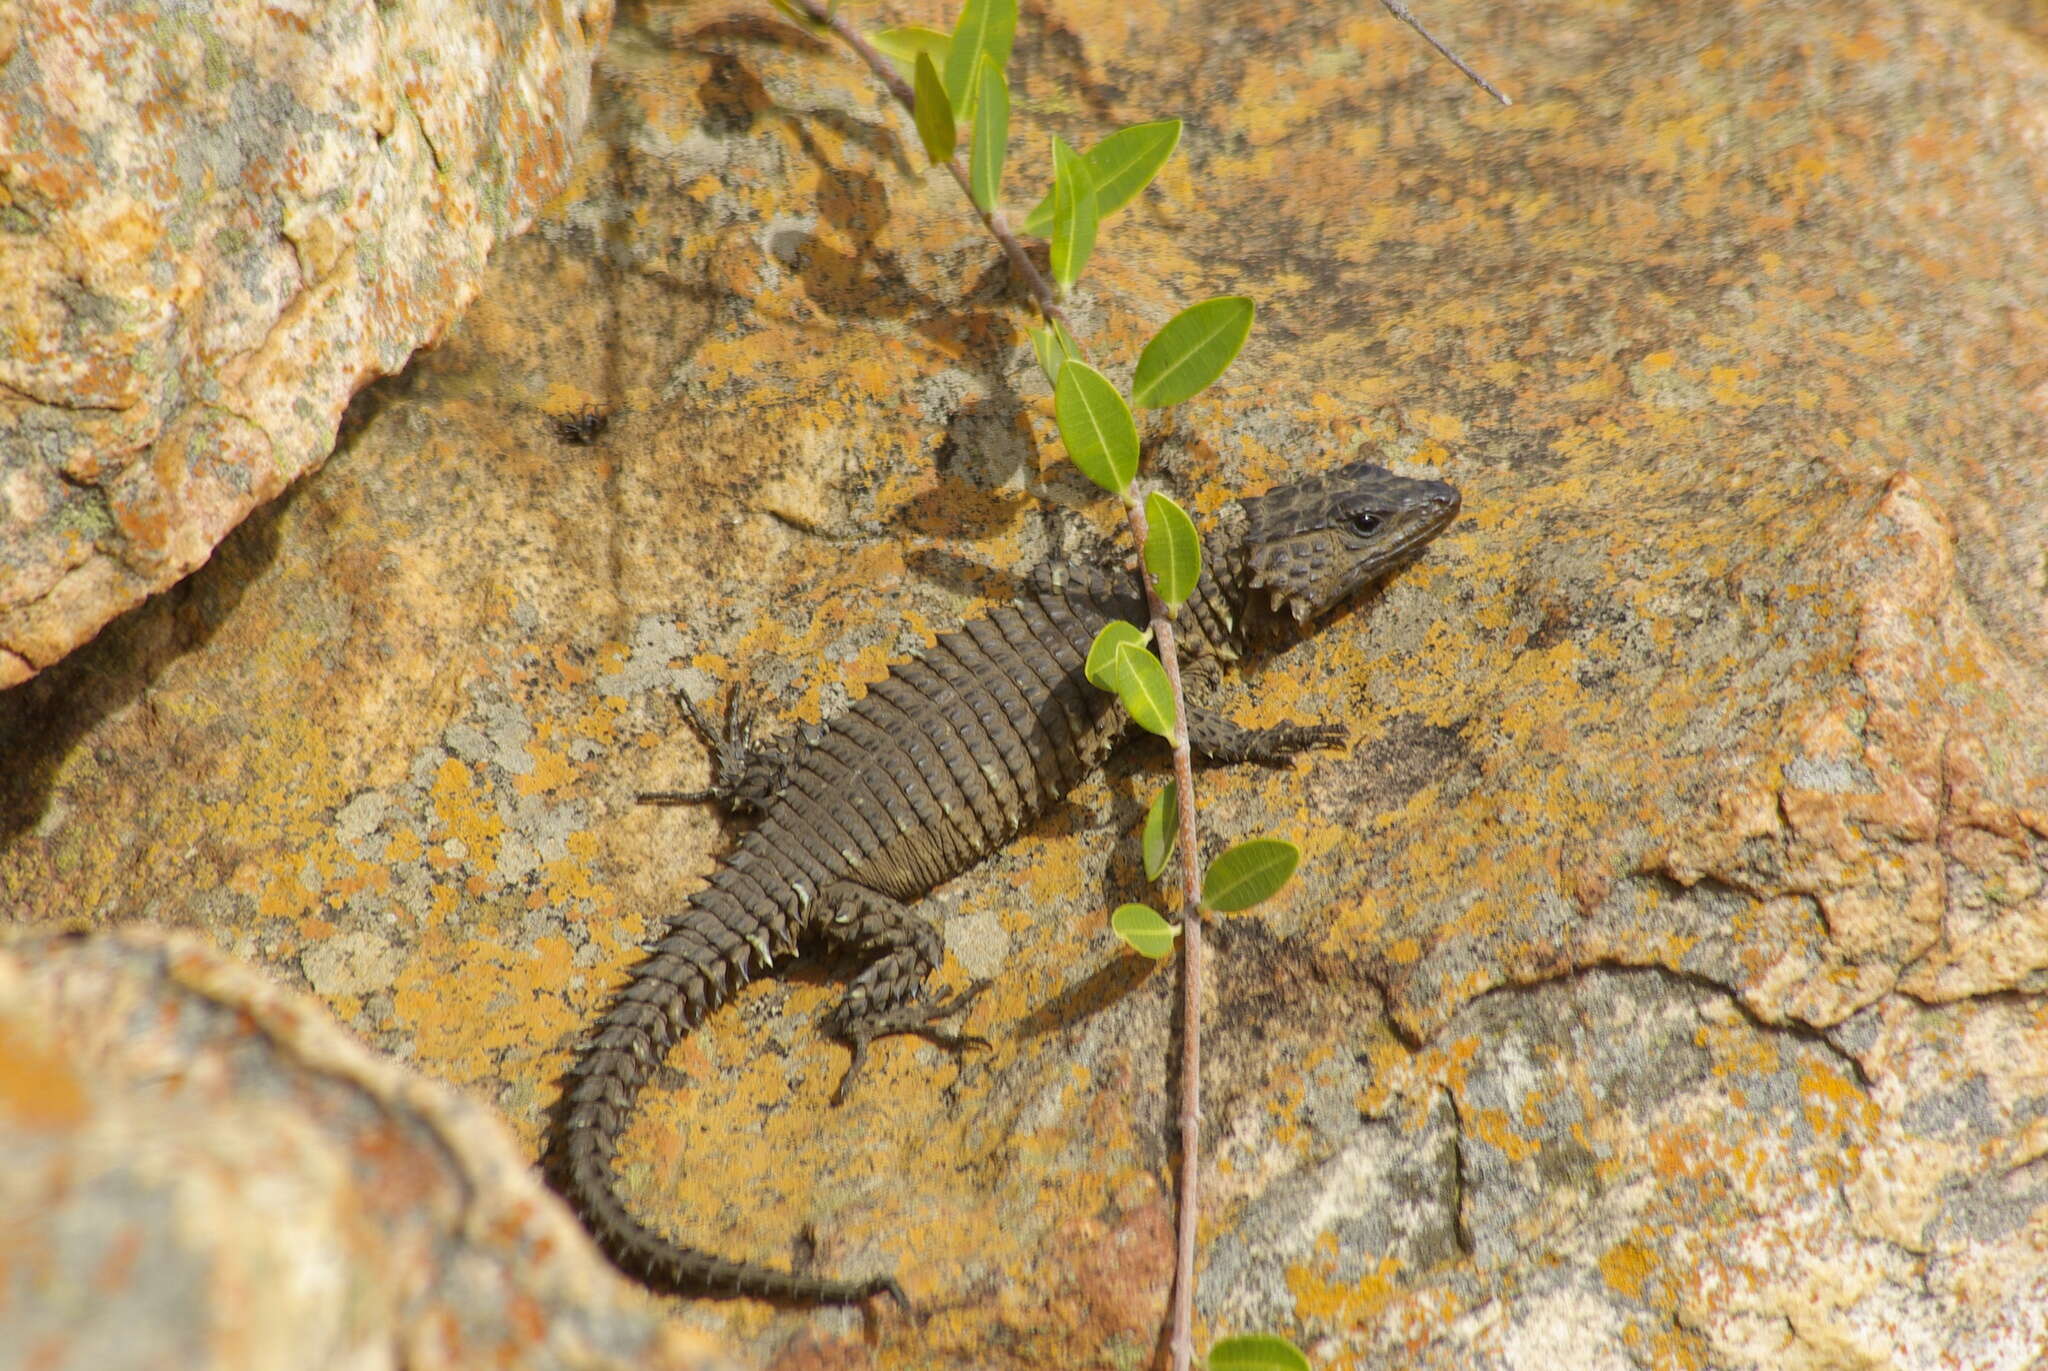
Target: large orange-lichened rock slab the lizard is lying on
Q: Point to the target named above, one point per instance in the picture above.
(1666, 981)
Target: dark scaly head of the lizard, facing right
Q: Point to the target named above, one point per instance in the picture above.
(1316, 542)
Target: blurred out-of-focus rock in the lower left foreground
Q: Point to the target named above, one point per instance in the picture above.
(204, 1171)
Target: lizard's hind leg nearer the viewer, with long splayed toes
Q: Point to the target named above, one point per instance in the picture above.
(888, 995)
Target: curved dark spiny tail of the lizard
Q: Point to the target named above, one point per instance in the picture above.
(691, 972)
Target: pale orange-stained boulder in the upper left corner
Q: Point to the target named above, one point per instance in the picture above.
(216, 224)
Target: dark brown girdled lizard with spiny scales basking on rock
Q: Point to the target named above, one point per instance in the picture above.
(929, 774)
